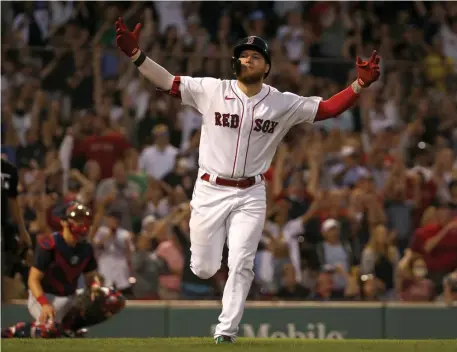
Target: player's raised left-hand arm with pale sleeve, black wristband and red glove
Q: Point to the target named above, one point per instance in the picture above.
(128, 42)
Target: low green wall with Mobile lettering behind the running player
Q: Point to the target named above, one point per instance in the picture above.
(312, 320)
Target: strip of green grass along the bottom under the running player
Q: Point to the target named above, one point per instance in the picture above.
(207, 344)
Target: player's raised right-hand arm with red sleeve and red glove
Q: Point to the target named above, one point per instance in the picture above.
(367, 73)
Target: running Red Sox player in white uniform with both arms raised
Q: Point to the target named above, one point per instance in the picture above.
(243, 121)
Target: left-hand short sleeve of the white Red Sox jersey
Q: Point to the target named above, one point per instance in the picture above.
(197, 92)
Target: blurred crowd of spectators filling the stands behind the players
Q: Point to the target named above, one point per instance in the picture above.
(360, 207)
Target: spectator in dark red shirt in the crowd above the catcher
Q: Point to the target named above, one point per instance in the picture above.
(104, 146)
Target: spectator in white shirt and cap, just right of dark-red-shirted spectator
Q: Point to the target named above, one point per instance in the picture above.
(159, 159)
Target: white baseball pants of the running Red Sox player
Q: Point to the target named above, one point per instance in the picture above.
(238, 215)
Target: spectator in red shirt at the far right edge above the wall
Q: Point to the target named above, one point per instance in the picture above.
(437, 243)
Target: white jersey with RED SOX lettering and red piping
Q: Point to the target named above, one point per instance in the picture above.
(240, 134)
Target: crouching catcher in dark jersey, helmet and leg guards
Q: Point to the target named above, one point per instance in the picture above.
(60, 259)
